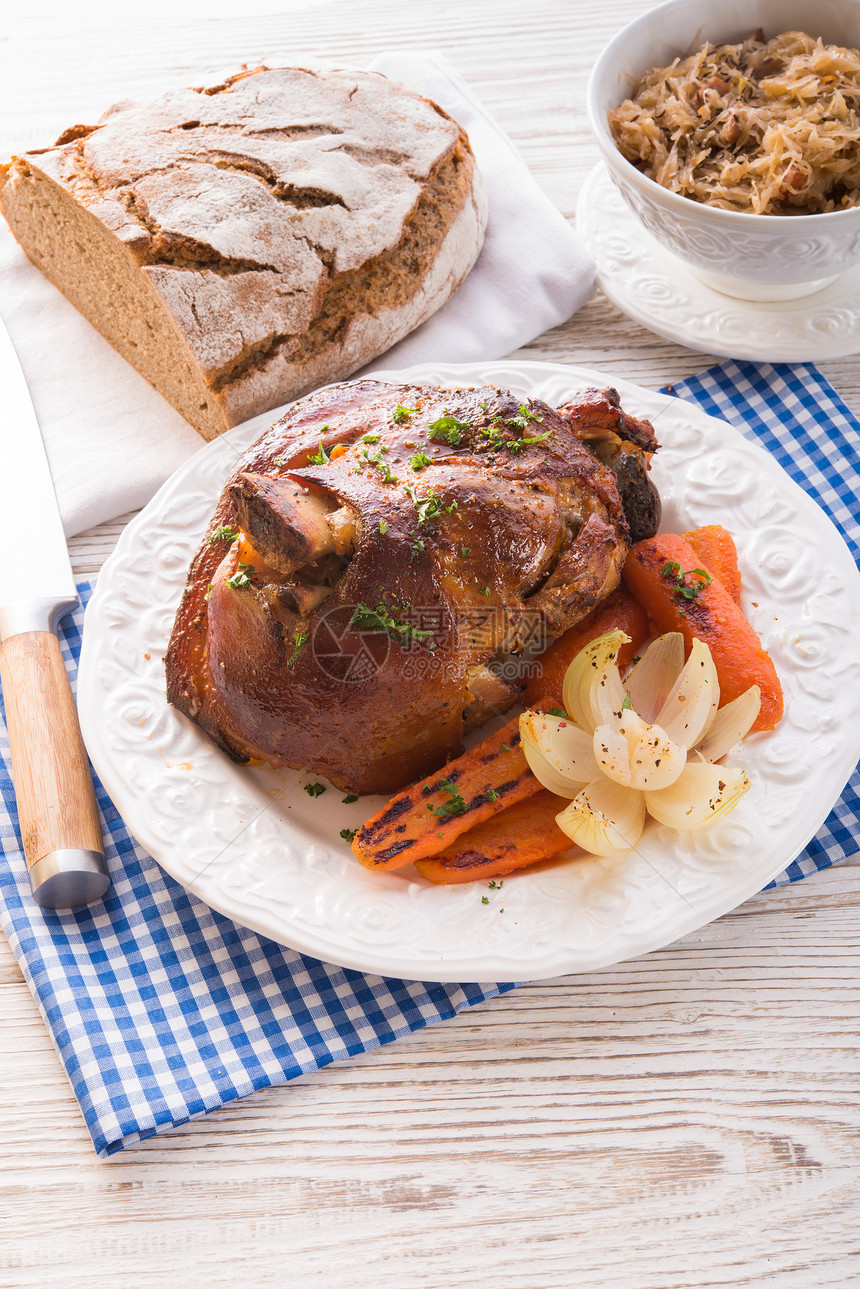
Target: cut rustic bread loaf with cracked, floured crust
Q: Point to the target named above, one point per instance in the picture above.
(246, 243)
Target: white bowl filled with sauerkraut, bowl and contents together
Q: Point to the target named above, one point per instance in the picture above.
(734, 135)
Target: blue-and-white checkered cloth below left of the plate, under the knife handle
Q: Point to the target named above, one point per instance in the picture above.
(163, 1010)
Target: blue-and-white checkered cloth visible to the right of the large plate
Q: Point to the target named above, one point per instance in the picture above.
(803, 422)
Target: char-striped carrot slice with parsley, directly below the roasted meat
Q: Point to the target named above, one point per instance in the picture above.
(429, 817)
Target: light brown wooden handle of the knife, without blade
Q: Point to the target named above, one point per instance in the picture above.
(54, 786)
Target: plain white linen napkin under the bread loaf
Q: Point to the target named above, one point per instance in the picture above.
(113, 440)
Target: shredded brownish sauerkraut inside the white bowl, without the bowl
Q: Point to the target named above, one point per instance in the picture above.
(767, 127)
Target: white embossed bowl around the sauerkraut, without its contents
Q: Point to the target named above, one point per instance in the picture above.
(746, 256)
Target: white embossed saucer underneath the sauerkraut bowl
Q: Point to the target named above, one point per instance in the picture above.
(657, 289)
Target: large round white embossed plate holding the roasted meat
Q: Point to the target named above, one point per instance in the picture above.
(257, 848)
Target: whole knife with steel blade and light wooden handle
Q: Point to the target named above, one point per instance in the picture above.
(60, 824)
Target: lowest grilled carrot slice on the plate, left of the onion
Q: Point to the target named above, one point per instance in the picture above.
(514, 840)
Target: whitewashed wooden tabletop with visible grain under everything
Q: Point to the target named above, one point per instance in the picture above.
(688, 1119)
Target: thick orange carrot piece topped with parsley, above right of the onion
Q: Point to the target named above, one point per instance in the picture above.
(657, 572)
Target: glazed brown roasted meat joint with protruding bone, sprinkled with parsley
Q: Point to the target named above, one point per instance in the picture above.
(377, 556)
